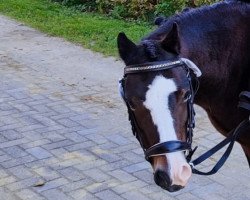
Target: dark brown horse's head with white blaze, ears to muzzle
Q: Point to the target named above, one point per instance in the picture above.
(157, 104)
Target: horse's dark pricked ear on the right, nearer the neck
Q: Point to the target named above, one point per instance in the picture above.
(171, 42)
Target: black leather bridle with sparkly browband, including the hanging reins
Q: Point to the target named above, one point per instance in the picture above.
(177, 145)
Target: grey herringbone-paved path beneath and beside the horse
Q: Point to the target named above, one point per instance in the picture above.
(64, 132)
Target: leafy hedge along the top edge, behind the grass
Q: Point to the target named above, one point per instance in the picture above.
(134, 9)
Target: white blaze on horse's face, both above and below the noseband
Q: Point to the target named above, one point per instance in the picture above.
(157, 101)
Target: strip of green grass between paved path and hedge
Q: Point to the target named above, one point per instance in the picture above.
(93, 31)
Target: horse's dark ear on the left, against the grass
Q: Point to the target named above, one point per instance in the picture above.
(125, 46)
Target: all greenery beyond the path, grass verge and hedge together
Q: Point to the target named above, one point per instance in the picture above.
(95, 31)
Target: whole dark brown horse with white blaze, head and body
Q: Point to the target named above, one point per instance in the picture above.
(199, 56)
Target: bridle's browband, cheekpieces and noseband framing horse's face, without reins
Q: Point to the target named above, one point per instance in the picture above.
(169, 146)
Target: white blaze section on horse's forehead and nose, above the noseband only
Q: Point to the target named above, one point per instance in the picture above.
(157, 98)
